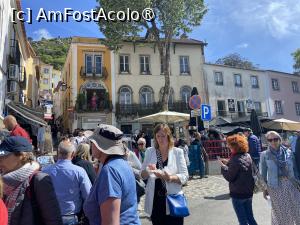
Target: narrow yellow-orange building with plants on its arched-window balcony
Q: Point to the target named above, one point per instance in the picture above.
(86, 90)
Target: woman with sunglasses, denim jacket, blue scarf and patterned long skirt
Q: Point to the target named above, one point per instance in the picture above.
(278, 168)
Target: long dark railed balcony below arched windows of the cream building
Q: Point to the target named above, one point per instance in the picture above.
(135, 109)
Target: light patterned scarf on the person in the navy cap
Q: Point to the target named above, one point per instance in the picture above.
(15, 185)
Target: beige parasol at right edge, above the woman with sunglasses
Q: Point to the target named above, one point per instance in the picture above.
(282, 124)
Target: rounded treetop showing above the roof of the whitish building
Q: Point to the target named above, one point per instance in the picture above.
(235, 60)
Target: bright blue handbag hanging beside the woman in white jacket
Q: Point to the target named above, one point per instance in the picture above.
(178, 205)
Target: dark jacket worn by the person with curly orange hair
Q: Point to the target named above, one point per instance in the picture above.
(239, 175)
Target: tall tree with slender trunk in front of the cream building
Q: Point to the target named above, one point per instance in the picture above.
(172, 19)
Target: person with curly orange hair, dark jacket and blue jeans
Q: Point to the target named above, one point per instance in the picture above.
(238, 172)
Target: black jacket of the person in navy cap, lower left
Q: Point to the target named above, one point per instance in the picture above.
(46, 210)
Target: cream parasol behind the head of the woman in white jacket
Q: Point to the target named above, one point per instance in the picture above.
(165, 117)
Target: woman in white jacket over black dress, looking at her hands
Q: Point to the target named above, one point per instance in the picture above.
(165, 168)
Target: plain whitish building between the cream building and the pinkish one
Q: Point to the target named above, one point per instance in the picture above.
(233, 92)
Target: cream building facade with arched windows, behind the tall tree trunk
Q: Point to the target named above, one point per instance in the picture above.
(139, 80)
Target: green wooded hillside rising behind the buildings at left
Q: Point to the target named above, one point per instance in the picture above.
(52, 51)
